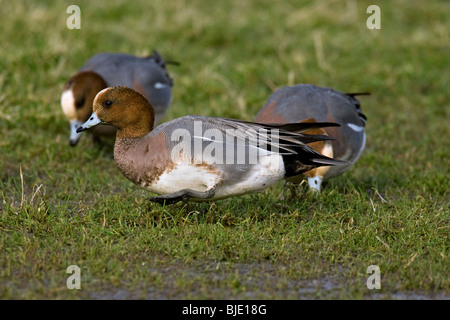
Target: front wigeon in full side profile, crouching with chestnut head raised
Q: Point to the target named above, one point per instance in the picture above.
(201, 158)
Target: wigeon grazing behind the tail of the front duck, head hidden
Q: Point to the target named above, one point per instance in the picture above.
(309, 103)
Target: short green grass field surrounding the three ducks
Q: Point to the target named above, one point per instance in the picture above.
(62, 206)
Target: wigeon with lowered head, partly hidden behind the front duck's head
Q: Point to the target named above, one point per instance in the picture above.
(147, 75)
